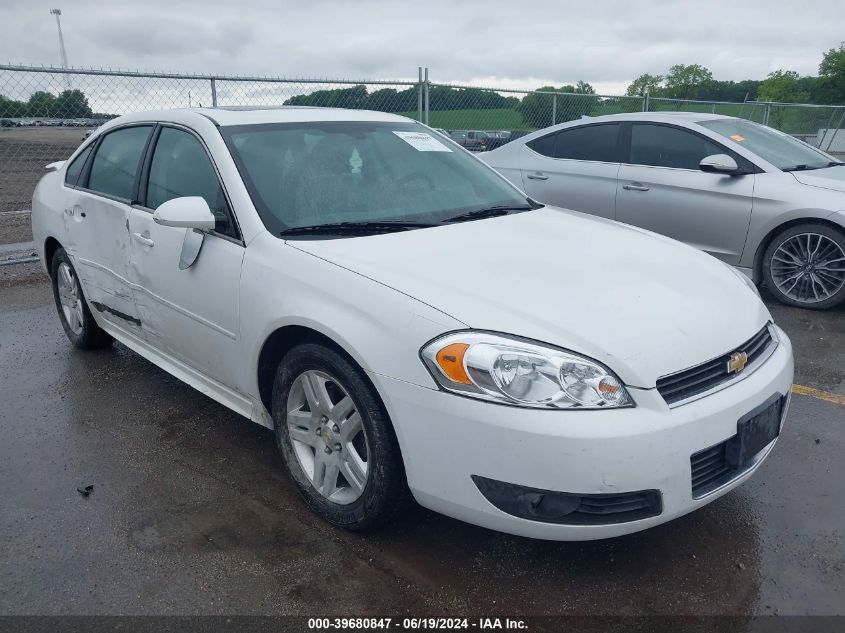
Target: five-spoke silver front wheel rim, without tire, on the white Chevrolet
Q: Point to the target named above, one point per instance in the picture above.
(327, 436)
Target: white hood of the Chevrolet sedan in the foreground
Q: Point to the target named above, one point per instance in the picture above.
(640, 303)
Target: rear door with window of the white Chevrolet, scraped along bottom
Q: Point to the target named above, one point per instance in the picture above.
(99, 194)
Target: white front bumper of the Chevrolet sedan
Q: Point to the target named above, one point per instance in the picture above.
(446, 439)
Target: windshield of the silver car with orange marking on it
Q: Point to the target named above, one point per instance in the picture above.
(781, 150)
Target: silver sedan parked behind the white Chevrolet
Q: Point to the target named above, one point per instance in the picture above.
(756, 198)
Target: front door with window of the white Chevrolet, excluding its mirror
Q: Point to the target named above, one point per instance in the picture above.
(191, 314)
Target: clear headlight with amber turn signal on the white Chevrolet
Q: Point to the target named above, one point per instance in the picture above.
(512, 371)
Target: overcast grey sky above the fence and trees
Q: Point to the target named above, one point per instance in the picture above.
(505, 44)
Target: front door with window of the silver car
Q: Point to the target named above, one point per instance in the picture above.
(662, 189)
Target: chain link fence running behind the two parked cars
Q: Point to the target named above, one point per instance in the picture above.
(45, 113)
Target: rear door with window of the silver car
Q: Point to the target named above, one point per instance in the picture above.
(575, 168)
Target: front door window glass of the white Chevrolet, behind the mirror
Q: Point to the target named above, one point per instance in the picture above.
(181, 167)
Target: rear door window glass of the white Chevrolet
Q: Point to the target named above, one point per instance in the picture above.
(116, 162)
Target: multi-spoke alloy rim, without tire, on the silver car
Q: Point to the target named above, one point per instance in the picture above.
(808, 268)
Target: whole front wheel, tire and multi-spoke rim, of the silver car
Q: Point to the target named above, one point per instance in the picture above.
(804, 266)
